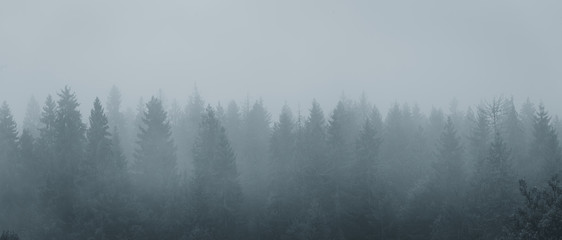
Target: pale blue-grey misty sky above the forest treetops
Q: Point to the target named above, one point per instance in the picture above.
(284, 51)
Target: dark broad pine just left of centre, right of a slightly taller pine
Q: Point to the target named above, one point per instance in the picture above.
(216, 191)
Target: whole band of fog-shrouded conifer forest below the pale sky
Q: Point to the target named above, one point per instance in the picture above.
(204, 172)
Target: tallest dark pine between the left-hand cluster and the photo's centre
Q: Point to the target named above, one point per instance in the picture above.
(154, 170)
